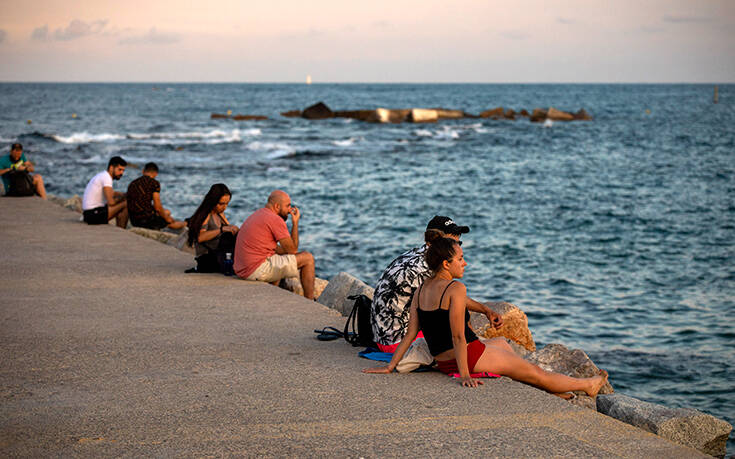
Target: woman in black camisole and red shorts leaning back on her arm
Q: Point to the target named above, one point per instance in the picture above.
(440, 310)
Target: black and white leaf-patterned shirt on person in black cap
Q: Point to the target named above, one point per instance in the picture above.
(393, 294)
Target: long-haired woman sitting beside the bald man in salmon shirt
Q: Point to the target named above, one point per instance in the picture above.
(209, 230)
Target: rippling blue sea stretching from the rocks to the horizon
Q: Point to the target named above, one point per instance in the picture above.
(615, 236)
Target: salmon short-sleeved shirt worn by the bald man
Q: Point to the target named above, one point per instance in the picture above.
(257, 240)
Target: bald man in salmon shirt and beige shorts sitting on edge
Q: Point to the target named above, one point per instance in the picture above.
(266, 251)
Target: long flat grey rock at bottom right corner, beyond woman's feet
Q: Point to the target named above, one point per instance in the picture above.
(684, 426)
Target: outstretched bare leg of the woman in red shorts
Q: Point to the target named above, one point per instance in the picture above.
(507, 363)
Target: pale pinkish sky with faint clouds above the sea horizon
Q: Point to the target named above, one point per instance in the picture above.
(524, 41)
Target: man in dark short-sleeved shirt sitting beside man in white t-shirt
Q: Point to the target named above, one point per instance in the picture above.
(144, 202)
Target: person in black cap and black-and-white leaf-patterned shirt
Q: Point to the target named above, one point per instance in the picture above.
(395, 288)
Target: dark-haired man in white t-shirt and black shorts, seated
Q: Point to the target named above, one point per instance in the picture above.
(100, 202)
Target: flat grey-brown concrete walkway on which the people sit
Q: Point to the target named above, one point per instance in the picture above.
(109, 349)
